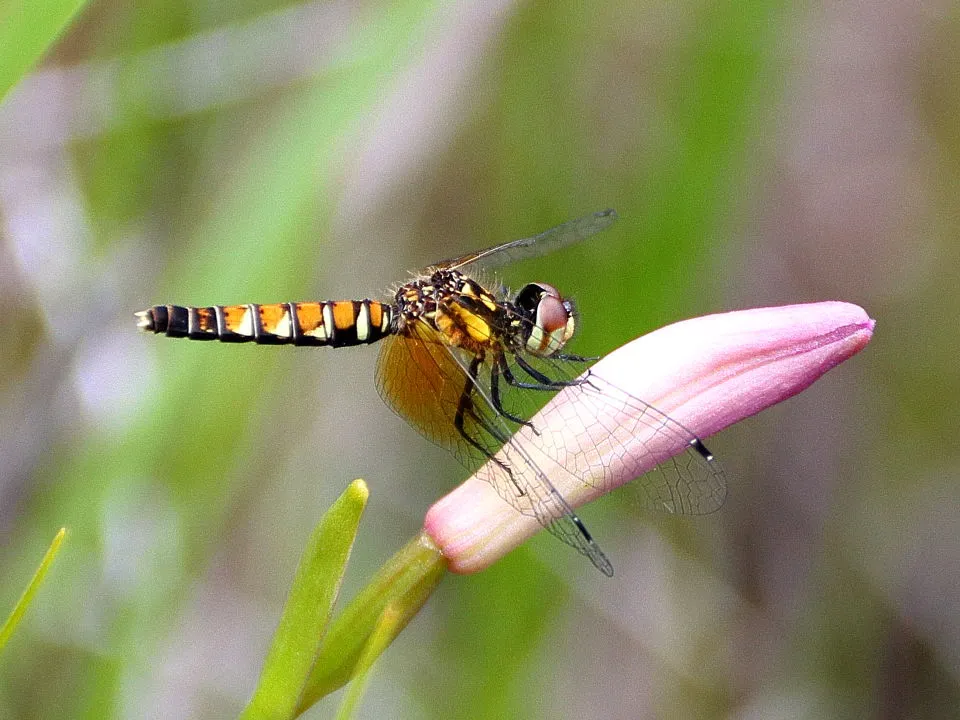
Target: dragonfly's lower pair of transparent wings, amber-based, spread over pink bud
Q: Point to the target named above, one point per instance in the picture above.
(422, 378)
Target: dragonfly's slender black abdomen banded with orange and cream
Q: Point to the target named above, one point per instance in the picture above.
(332, 322)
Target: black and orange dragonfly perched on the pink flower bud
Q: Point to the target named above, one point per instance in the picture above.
(467, 363)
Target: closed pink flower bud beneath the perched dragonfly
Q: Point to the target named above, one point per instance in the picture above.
(705, 373)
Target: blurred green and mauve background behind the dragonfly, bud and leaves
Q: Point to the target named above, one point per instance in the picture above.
(191, 152)
